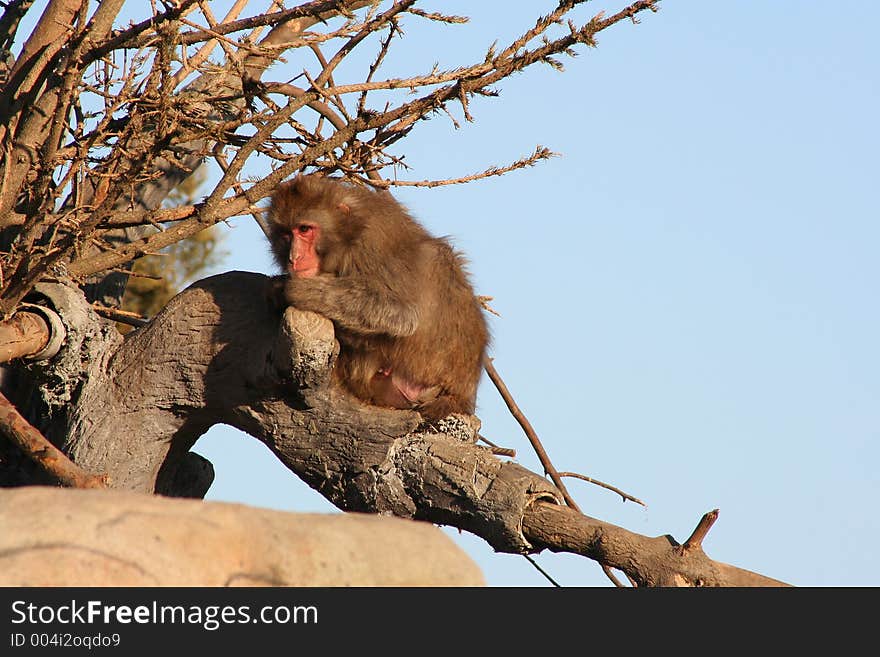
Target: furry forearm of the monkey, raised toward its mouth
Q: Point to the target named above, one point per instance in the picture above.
(354, 304)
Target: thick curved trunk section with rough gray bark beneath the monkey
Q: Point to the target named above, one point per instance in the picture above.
(220, 352)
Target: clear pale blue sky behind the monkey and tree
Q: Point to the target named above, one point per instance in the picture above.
(688, 294)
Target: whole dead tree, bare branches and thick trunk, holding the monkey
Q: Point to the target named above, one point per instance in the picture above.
(100, 122)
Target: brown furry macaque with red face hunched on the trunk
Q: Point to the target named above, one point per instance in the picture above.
(411, 331)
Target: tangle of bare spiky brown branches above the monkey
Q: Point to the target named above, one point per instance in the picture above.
(124, 118)
